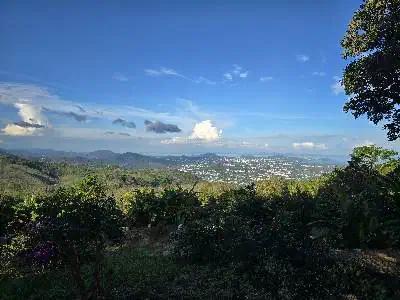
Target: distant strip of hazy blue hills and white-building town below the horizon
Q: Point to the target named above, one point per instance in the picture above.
(240, 170)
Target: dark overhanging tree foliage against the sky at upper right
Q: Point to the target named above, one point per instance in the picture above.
(372, 78)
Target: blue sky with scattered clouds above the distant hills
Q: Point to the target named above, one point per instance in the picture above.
(174, 77)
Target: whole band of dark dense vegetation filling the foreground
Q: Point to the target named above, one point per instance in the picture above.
(279, 238)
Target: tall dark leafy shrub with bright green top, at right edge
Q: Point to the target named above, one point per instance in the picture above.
(359, 206)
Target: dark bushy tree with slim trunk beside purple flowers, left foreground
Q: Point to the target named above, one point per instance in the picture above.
(78, 221)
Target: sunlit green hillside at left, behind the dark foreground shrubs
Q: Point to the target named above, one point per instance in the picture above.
(24, 175)
